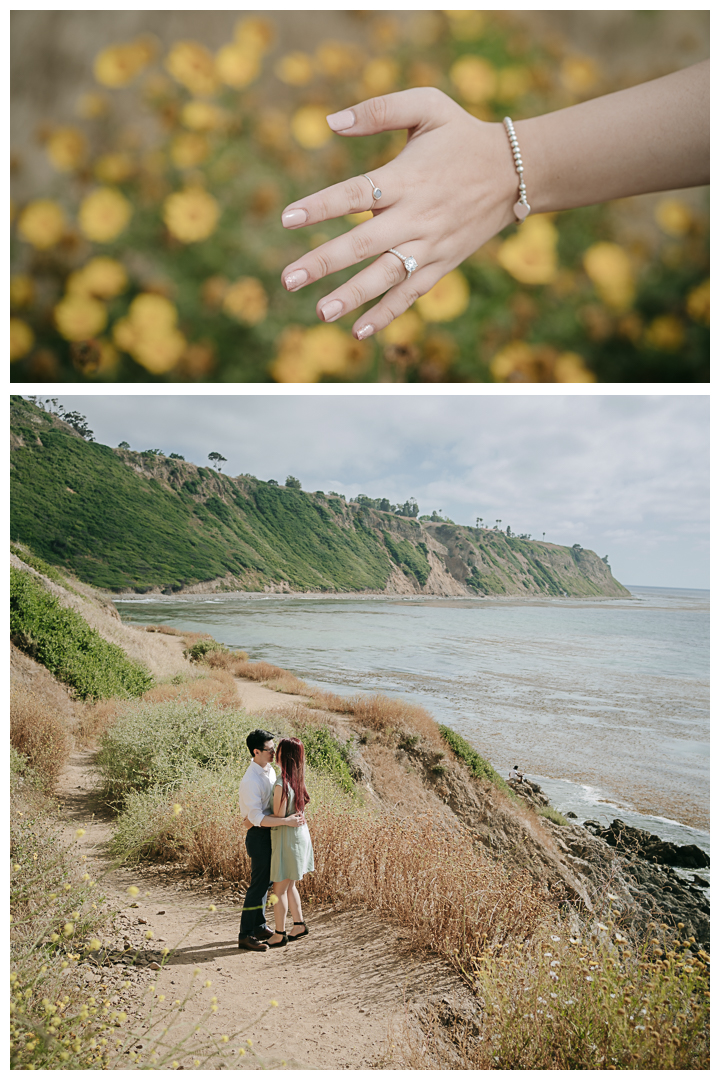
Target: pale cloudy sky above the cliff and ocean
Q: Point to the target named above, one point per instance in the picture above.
(627, 477)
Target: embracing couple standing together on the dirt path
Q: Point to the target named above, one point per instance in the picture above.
(278, 841)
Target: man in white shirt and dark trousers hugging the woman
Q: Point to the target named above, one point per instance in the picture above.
(256, 803)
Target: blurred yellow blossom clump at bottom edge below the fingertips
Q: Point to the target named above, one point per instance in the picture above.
(305, 356)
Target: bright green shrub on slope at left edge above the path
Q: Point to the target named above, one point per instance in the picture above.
(62, 641)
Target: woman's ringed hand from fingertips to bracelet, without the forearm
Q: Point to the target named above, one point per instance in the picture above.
(450, 191)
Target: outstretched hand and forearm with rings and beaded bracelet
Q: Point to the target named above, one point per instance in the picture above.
(459, 181)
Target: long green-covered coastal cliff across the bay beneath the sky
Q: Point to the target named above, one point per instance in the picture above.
(145, 522)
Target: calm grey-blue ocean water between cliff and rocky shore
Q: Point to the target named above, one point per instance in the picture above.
(605, 704)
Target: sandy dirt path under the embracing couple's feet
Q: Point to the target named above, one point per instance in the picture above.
(342, 992)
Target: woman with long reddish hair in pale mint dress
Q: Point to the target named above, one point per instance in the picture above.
(292, 856)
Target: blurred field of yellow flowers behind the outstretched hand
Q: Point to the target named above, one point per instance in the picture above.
(154, 251)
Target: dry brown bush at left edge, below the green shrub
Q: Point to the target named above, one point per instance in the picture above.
(39, 734)
